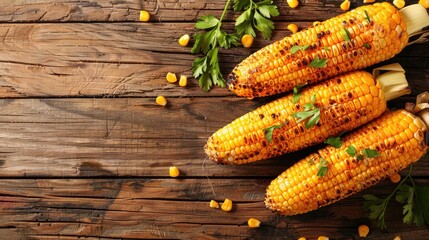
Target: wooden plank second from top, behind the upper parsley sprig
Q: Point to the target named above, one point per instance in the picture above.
(58, 60)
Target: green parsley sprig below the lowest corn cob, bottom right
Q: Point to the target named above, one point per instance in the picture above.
(415, 200)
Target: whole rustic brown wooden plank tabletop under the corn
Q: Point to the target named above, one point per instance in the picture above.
(85, 151)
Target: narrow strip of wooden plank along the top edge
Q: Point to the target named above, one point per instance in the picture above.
(160, 10)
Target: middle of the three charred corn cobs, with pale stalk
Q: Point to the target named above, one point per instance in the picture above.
(345, 102)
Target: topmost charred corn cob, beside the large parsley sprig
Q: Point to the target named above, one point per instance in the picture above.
(354, 40)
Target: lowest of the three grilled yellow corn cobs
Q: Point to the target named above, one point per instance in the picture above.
(398, 137)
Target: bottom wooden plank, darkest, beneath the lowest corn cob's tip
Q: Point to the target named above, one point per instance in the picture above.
(175, 209)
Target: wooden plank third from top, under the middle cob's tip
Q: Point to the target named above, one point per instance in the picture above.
(123, 137)
